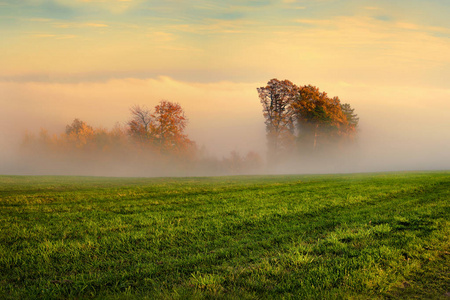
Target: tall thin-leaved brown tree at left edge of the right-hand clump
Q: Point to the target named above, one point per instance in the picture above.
(276, 99)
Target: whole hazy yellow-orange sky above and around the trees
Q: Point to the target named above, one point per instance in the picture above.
(94, 59)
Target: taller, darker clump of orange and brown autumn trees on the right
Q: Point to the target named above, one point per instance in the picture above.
(303, 122)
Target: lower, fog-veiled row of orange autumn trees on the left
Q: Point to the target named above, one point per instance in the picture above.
(150, 143)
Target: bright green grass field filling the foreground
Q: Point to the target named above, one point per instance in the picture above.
(332, 236)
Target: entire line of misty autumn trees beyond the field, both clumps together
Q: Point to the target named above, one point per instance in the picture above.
(304, 128)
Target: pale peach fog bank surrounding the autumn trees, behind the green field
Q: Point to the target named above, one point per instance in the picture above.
(401, 128)
